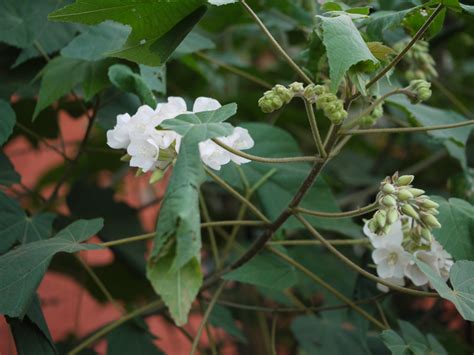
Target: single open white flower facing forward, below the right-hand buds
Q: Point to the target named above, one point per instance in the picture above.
(391, 261)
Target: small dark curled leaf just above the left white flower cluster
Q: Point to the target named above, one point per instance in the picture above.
(125, 79)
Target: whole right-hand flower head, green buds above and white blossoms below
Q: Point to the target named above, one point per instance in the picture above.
(398, 234)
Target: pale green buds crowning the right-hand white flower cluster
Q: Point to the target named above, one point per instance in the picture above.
(398, 197)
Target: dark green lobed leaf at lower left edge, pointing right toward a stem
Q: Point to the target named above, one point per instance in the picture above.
(22, 269)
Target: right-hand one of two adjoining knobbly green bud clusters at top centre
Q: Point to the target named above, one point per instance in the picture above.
(327, 102)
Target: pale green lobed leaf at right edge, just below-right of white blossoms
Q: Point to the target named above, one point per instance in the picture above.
(462, 293)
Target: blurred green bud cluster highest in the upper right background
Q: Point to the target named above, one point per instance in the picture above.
(421, 63)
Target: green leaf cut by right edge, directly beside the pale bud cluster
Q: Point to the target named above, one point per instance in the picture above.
(457, 232)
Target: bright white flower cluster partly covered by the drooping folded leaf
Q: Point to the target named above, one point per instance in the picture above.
(151, 147)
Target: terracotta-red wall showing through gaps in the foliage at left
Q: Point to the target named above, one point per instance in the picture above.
(68, 308)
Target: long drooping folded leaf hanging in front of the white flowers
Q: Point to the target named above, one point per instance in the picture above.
(174, 264)
